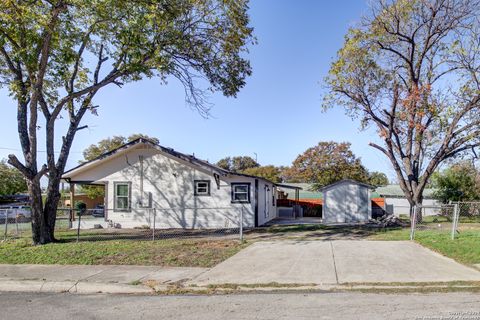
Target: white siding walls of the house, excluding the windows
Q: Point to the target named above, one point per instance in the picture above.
(171, 183)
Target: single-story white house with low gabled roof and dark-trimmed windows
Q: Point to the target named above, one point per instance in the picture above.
(144, 180)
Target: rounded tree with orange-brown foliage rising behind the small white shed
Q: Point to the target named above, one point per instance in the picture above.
(326, 163)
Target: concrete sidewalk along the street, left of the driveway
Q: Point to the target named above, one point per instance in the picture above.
(91, 279)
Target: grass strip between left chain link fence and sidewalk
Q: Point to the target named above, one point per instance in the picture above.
(174, 253)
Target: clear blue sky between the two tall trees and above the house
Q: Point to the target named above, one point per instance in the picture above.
(277, 115)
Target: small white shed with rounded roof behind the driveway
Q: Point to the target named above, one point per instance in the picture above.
(346, 201)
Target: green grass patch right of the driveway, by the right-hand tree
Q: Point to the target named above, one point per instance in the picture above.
(465, 248)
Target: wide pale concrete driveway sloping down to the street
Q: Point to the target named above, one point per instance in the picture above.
(336, 262)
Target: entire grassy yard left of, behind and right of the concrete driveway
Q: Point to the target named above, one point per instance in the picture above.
(133, 247)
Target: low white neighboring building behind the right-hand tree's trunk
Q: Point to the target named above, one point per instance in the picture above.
(397, 204)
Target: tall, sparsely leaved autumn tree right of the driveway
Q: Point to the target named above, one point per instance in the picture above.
(411, 70)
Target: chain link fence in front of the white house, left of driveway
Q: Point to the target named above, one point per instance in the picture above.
(95, 225)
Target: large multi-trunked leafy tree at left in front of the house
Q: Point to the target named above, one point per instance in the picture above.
(56, 55)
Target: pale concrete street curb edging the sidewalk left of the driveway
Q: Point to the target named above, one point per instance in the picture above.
(71, 287)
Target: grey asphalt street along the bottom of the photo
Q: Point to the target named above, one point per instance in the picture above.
(241, 306)
